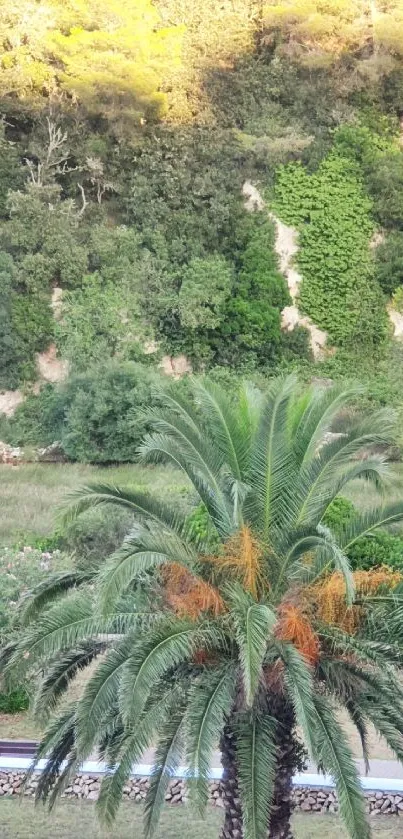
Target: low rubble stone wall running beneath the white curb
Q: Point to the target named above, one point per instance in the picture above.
(307, 799)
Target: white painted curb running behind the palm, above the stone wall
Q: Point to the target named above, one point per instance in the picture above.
(304, 779)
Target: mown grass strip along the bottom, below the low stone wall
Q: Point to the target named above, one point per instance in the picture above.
(70, 820)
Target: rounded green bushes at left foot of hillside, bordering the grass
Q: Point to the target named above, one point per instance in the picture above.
(95, 414)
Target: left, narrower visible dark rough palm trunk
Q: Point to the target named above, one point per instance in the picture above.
(232, 827)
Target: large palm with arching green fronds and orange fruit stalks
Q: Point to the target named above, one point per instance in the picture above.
(248, 630)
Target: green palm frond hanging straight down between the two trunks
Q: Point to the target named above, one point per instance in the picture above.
(256, 757)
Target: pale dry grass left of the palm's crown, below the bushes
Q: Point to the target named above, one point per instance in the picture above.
(31, 495)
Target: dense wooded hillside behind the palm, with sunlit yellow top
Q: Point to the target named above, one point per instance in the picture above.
(128, 132)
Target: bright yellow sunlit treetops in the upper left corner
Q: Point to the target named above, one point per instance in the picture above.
(107, 55)
